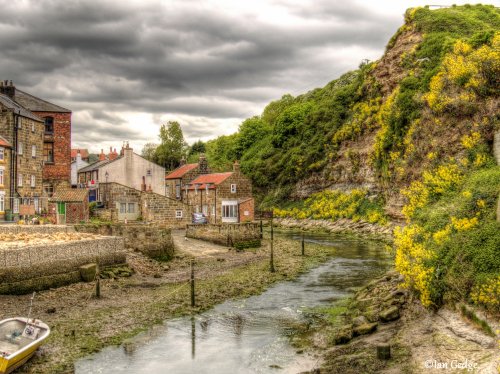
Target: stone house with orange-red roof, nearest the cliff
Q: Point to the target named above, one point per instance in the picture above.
(222, 197)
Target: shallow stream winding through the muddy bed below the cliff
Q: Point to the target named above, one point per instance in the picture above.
(250, 335)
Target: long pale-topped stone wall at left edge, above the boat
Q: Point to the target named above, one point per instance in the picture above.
(38, 267)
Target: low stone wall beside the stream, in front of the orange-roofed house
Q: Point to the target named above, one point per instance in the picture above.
(238, 235)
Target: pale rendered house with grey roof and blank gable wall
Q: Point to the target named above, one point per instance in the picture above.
(128, 169)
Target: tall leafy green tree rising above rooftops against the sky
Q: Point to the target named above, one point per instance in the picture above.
(172, 146)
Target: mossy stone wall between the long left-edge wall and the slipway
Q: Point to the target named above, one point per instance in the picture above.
(153, 241)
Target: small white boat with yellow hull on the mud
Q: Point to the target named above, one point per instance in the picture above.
(20, 337)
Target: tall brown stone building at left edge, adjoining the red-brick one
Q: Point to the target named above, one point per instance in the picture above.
(24, 132)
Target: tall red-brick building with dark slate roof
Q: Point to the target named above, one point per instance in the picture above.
(56, 147)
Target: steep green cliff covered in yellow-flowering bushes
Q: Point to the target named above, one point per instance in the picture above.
(410, 137)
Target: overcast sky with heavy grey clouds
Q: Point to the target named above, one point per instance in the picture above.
(126, 67)
